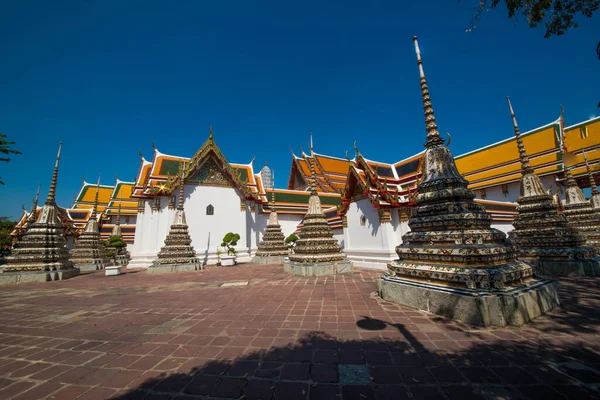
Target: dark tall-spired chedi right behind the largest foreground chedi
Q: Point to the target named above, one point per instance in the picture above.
(542, 234)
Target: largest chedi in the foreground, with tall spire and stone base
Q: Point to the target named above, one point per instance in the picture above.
(452, 262)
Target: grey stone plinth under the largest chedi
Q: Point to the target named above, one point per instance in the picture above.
(516, 306)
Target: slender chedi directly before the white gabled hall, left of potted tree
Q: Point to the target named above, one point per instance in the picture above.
(177, 254)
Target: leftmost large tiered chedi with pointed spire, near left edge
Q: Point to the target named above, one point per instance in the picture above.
(40, 254)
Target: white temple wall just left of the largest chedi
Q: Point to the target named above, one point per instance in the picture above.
(370, 245)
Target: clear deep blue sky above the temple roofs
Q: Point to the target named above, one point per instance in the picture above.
(109, 77)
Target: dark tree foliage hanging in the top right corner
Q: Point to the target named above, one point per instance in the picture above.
(557, 15)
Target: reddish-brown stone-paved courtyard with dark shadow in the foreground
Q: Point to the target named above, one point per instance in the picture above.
(254, 332)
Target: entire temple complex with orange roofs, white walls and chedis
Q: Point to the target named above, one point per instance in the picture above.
(487, 222)
